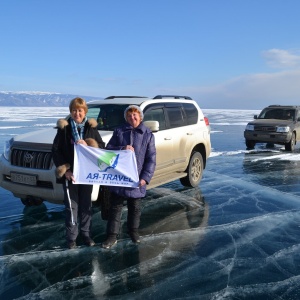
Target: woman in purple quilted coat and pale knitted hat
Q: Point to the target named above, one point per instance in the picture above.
(134, 136)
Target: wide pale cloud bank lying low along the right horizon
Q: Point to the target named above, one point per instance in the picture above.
(252, 91)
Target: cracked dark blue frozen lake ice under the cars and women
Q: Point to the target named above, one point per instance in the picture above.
(236, 236)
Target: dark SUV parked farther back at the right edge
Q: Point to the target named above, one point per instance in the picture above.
(276, 124)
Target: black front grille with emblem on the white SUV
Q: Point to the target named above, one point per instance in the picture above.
(31, 159)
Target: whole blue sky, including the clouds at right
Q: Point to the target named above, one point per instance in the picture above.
(241, 54)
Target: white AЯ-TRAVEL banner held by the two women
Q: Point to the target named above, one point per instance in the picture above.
(105, 167)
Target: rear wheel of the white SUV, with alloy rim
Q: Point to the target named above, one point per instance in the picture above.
(194, 170)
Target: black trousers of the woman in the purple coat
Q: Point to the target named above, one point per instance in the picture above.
(115, 214)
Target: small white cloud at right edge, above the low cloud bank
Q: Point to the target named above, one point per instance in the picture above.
(278, 58)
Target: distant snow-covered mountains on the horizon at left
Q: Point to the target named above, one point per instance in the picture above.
(38, 98)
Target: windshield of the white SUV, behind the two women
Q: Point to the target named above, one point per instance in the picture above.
(108, 116)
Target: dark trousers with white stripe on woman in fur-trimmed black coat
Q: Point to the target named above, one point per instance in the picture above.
(78, 209)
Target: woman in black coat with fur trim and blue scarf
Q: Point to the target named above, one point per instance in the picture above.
(77, 197)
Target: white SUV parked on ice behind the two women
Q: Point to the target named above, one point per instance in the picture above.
(182, 139)
